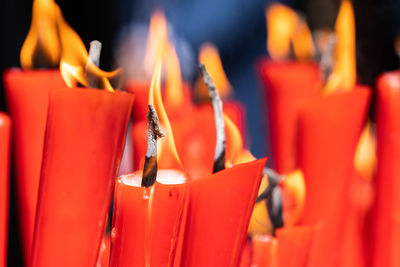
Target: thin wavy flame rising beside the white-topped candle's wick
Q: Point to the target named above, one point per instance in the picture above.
(168, 156)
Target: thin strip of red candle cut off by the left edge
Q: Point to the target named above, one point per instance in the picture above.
(5, 143)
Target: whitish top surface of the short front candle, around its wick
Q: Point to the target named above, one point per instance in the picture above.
(167, 177)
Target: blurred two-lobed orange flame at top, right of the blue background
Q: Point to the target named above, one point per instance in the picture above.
(286, 28)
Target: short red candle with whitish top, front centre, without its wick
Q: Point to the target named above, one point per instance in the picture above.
(147, 220)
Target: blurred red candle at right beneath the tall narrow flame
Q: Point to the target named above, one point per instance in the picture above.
(329, 129)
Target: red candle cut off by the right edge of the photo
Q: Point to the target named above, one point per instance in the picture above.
(386, 210)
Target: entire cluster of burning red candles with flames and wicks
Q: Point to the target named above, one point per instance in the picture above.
(197, 196)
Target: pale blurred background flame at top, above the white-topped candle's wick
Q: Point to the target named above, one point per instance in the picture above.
(157, 40)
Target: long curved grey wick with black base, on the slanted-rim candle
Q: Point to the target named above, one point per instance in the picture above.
(219, 156)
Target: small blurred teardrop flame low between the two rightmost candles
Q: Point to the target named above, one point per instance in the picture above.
(365, 159)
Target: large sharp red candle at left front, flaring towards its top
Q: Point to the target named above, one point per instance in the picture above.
(84, 140)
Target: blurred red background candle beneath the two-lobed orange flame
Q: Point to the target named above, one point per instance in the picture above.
(287, 85)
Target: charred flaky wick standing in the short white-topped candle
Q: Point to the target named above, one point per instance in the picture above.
(153, 133)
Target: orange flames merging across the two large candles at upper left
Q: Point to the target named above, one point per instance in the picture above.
(60, 44)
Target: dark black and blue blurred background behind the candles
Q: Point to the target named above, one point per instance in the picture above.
(238, 29)
